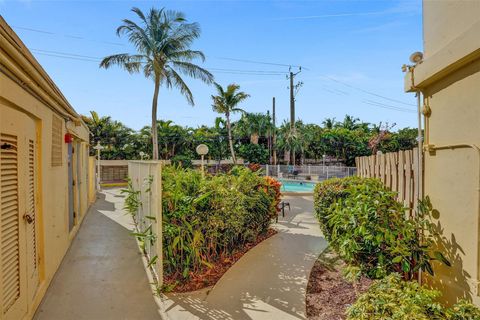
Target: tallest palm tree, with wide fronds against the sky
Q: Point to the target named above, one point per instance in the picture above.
(162, 42)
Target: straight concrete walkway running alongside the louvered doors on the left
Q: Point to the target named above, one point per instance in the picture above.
(102, 275)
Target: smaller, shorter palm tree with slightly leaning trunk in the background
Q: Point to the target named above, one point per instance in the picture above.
(226, 102)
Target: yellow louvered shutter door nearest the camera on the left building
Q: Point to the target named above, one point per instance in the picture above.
(15, 126)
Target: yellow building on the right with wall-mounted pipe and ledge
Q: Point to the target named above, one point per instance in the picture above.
(449, 80)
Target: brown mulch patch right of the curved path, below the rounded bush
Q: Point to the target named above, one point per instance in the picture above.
(328, 293)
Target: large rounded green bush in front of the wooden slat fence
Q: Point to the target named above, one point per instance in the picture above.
(367, 227)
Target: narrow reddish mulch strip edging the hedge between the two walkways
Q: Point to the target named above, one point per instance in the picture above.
(210, 276)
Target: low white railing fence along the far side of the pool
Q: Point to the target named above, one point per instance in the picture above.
(308, 172)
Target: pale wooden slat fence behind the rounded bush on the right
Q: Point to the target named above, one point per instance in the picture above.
(398, 171)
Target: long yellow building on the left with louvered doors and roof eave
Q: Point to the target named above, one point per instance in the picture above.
(44, 189)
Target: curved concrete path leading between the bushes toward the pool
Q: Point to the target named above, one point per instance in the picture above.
(269, 282)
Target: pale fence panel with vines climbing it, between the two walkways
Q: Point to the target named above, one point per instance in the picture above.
(146, 178)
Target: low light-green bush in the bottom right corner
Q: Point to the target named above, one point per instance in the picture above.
(394, 299)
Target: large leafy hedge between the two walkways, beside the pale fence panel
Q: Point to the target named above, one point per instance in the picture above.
(205, 219)
